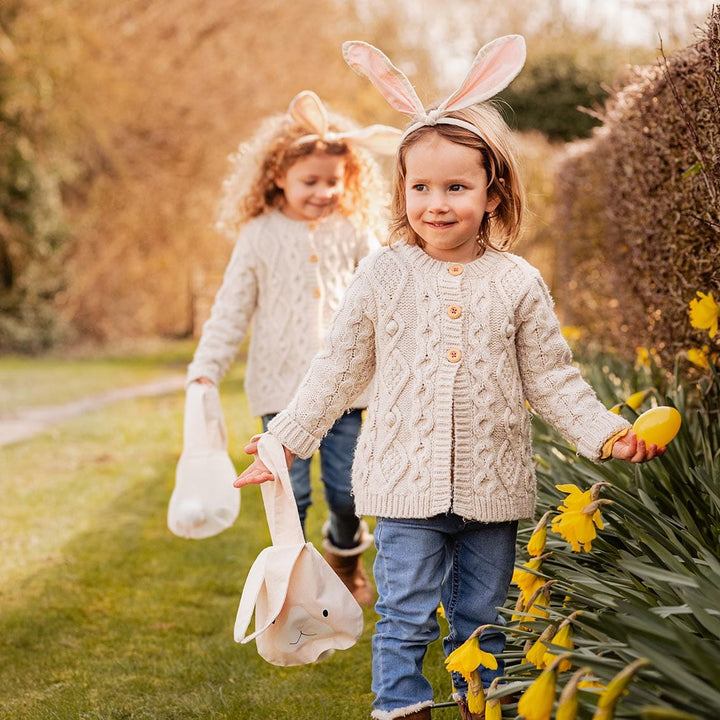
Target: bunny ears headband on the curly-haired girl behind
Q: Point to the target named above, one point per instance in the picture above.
(307, 110)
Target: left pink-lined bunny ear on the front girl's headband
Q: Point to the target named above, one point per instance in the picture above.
(368, 61)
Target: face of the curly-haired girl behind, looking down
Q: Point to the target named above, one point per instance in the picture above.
(312, 186)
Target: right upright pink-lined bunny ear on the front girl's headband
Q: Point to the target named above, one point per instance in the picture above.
(495, 66)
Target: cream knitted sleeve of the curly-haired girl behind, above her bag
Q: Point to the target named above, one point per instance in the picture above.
(230, 316)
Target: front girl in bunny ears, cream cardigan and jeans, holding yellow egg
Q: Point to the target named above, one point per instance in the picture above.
(460, 334)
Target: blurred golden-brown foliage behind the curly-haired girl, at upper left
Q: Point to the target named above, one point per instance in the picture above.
(149, 98)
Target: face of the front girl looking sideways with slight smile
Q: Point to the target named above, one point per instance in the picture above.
(446, 197)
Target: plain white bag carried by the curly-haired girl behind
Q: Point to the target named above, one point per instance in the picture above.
(204, 501)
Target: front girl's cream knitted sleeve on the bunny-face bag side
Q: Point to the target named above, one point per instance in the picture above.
(337, 374)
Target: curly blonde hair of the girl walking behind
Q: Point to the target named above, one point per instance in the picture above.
(250, 188)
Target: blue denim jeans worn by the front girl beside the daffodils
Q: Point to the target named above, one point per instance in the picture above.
(468, 566)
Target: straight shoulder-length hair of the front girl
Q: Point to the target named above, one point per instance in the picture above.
(500, 228)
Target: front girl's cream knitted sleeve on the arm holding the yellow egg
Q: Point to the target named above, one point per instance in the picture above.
(553, 385)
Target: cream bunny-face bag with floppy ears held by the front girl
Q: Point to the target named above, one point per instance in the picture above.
(303, 611)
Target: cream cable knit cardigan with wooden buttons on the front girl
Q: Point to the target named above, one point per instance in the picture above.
(456, 350)
